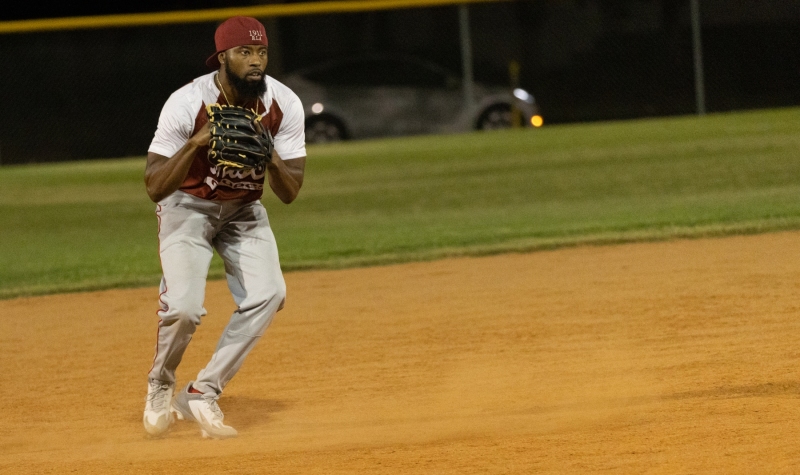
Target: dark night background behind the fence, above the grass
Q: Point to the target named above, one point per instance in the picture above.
(97, 93)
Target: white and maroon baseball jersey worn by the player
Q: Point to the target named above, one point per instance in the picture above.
(184, 113)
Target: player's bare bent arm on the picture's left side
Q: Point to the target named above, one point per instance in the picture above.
(163, 175)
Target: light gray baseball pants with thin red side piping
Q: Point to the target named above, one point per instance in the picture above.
(190, 228)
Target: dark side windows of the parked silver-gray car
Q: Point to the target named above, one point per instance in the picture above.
(382, 72)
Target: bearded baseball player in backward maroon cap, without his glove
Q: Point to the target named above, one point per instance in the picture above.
(201, 208)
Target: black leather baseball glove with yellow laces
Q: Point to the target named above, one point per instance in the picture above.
(238, 140)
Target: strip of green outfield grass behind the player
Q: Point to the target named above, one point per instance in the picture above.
(89, 225)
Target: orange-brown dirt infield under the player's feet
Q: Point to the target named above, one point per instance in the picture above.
(677, 357)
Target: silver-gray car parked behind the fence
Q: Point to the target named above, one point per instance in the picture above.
(391, 95)
